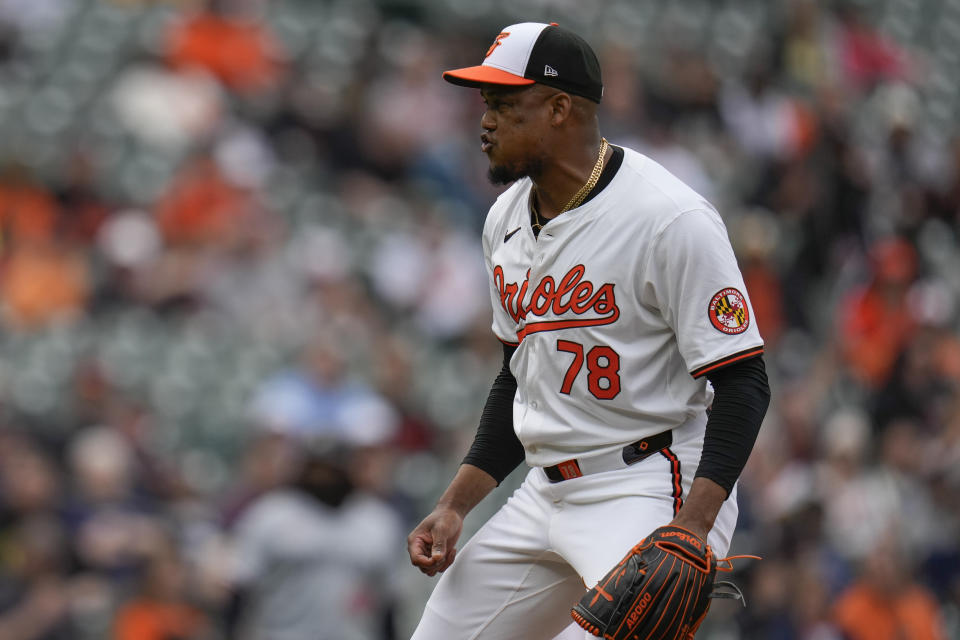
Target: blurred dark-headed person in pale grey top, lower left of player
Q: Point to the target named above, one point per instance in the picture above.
(314, 560)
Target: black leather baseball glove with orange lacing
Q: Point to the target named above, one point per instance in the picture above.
(660, 590)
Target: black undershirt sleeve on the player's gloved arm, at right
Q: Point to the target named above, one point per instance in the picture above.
(741, 396)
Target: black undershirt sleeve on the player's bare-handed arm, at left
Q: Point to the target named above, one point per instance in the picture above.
(496, 448)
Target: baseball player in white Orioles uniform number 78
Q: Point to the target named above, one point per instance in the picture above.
(633, 383)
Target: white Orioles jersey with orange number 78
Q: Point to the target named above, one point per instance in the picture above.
(619, 308)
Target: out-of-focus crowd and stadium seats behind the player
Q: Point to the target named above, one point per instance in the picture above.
(244, 325)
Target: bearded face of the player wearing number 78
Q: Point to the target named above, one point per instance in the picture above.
(515, 125)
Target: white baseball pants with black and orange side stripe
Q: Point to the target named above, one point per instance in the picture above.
(520, 574)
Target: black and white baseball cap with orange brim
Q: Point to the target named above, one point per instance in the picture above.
(530, 52)
